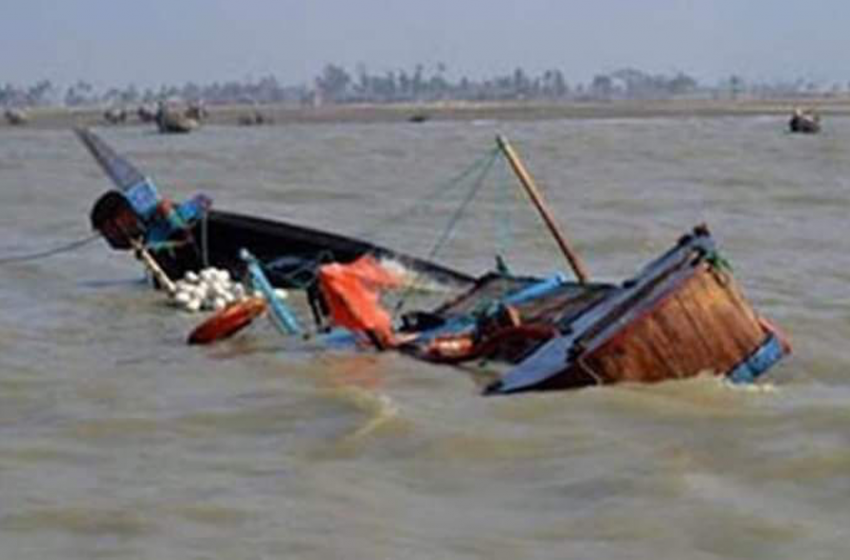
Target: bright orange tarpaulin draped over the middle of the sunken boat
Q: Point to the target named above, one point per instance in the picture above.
(352, 293)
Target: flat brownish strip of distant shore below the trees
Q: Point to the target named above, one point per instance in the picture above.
(59, 118)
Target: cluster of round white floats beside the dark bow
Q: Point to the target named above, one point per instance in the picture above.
(208, 290)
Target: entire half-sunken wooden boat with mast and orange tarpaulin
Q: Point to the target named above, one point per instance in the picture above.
(682, 315)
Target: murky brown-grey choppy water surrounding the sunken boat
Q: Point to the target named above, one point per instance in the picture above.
(117, 441)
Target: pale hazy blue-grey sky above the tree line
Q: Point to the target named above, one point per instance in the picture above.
(151, 42)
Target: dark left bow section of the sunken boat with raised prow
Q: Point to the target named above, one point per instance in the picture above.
(189, 236)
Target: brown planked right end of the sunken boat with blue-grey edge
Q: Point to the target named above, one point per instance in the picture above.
(682, 316)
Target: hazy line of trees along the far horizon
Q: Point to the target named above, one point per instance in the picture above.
(336, 85)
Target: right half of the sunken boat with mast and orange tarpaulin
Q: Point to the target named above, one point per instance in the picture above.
(682, 315)
